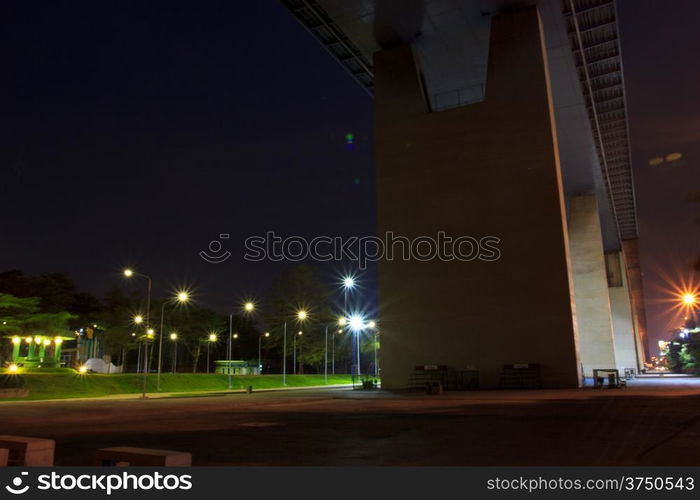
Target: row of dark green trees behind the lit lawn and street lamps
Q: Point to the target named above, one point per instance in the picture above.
(51, 304)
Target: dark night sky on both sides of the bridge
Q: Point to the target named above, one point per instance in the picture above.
(134, 133)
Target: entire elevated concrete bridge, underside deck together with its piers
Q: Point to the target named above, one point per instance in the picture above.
(508, 123)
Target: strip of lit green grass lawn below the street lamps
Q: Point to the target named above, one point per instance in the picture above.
(60, 384)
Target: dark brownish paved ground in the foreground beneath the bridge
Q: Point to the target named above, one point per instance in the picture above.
(656, 425)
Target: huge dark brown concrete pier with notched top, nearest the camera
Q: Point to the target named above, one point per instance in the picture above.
(487, 169)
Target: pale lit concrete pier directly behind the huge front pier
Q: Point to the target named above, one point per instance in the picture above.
(596, 341)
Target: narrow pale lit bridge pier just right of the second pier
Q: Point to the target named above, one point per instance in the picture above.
(626, 349)
